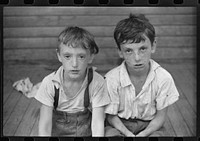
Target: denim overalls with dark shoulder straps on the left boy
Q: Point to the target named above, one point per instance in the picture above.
(73, 124)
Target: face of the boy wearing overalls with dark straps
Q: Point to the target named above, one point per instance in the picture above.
(75, 61)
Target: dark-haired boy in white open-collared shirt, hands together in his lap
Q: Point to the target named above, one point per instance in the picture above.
(140, 89)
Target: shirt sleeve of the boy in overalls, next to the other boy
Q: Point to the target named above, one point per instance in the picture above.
(100, 95)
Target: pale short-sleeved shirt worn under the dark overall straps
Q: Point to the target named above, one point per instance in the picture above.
(97, 93)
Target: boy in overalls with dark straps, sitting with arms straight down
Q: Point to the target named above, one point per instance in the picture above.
(73, 97)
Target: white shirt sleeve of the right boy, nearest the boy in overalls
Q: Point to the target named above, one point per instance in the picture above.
(113, 107)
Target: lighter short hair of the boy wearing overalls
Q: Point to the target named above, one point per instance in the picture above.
(75, 36)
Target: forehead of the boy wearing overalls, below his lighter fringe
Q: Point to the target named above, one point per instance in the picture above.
(73, 49)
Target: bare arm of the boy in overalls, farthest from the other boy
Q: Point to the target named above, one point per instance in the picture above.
(45, 121)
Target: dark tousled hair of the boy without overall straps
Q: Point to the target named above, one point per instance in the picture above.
(134, 29)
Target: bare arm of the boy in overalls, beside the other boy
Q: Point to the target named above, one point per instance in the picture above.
(98, 117)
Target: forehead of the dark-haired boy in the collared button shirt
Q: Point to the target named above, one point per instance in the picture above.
(129, 44)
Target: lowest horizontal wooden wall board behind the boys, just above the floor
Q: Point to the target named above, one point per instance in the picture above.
(107, 55)
